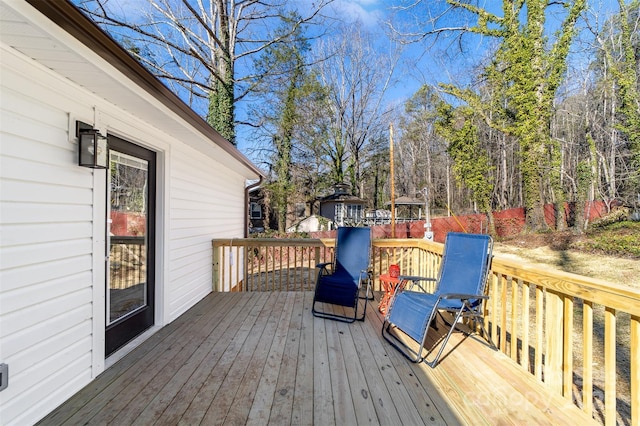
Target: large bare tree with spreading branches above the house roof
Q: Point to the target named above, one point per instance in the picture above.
(202, 48)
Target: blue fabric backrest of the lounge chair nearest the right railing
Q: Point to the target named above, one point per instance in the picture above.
(465, 263)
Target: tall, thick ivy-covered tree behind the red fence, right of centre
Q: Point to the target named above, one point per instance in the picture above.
(530, 73)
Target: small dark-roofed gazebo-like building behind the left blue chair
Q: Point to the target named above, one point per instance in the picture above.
(341, 207)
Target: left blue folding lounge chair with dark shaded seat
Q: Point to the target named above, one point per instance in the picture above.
(341, 284)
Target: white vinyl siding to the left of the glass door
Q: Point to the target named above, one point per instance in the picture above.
(46, 249)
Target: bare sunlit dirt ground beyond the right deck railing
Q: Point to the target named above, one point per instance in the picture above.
(553, 250)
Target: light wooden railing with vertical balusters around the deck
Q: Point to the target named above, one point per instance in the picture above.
(579, 336)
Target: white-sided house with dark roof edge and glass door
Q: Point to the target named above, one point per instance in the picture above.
(94, 261)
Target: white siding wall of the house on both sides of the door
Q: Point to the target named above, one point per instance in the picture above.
(52, 221)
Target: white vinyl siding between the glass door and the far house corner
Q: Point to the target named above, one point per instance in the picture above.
(207, 201)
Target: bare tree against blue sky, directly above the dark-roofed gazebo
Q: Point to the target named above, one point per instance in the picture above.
(353, 114)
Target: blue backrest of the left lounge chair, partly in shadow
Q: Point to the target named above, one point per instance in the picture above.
(353, 251)
